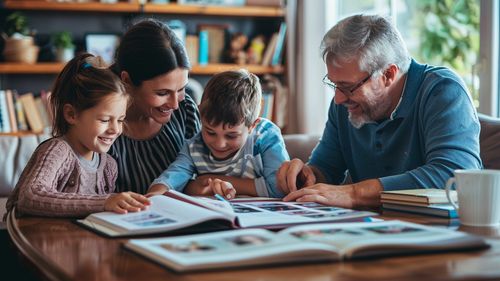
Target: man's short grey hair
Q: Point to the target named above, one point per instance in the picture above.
(371, 39)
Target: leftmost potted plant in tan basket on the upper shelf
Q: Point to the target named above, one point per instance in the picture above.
(19, 44)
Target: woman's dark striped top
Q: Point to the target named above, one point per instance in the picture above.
(141, 161)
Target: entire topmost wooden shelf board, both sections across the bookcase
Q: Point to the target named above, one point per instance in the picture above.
(251, 11)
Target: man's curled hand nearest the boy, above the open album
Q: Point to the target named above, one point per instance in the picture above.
(293, 175)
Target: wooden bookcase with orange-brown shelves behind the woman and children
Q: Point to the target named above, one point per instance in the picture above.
(43, 15)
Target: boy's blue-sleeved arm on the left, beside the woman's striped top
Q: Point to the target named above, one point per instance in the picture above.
(178, 174)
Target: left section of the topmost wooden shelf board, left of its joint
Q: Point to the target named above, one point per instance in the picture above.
(55, 6)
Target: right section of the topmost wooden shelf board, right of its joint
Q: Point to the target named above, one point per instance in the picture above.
(250, 11)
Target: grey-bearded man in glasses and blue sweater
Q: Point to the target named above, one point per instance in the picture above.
(394, 123)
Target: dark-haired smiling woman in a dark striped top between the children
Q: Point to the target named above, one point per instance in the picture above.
(153, 64)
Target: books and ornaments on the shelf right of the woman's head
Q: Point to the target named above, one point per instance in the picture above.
(212, 44)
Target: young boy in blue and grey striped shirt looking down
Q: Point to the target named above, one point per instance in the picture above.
(236, 151)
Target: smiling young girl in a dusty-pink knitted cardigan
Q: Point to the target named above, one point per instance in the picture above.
(70, 174)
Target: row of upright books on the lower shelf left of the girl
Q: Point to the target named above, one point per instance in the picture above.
(23, 112)
